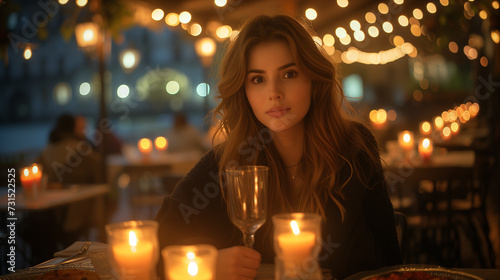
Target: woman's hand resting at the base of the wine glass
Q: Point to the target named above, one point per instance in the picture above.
(237, 263)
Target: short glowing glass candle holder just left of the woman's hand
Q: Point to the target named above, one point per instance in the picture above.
(195, 262)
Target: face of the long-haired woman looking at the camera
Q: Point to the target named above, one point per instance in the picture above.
(278, 92)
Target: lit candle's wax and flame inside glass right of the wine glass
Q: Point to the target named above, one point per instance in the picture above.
(296, 246)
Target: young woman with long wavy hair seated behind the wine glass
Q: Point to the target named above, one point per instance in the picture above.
(281, 106)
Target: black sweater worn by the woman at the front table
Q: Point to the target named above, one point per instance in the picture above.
(196, 213)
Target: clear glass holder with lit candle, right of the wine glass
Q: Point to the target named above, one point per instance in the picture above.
(297, 243)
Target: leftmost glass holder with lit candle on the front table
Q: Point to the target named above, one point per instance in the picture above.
(133, 249)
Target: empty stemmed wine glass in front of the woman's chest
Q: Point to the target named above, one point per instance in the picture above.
(246, 198)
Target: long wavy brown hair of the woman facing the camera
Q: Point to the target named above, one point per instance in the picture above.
(332, 142)
